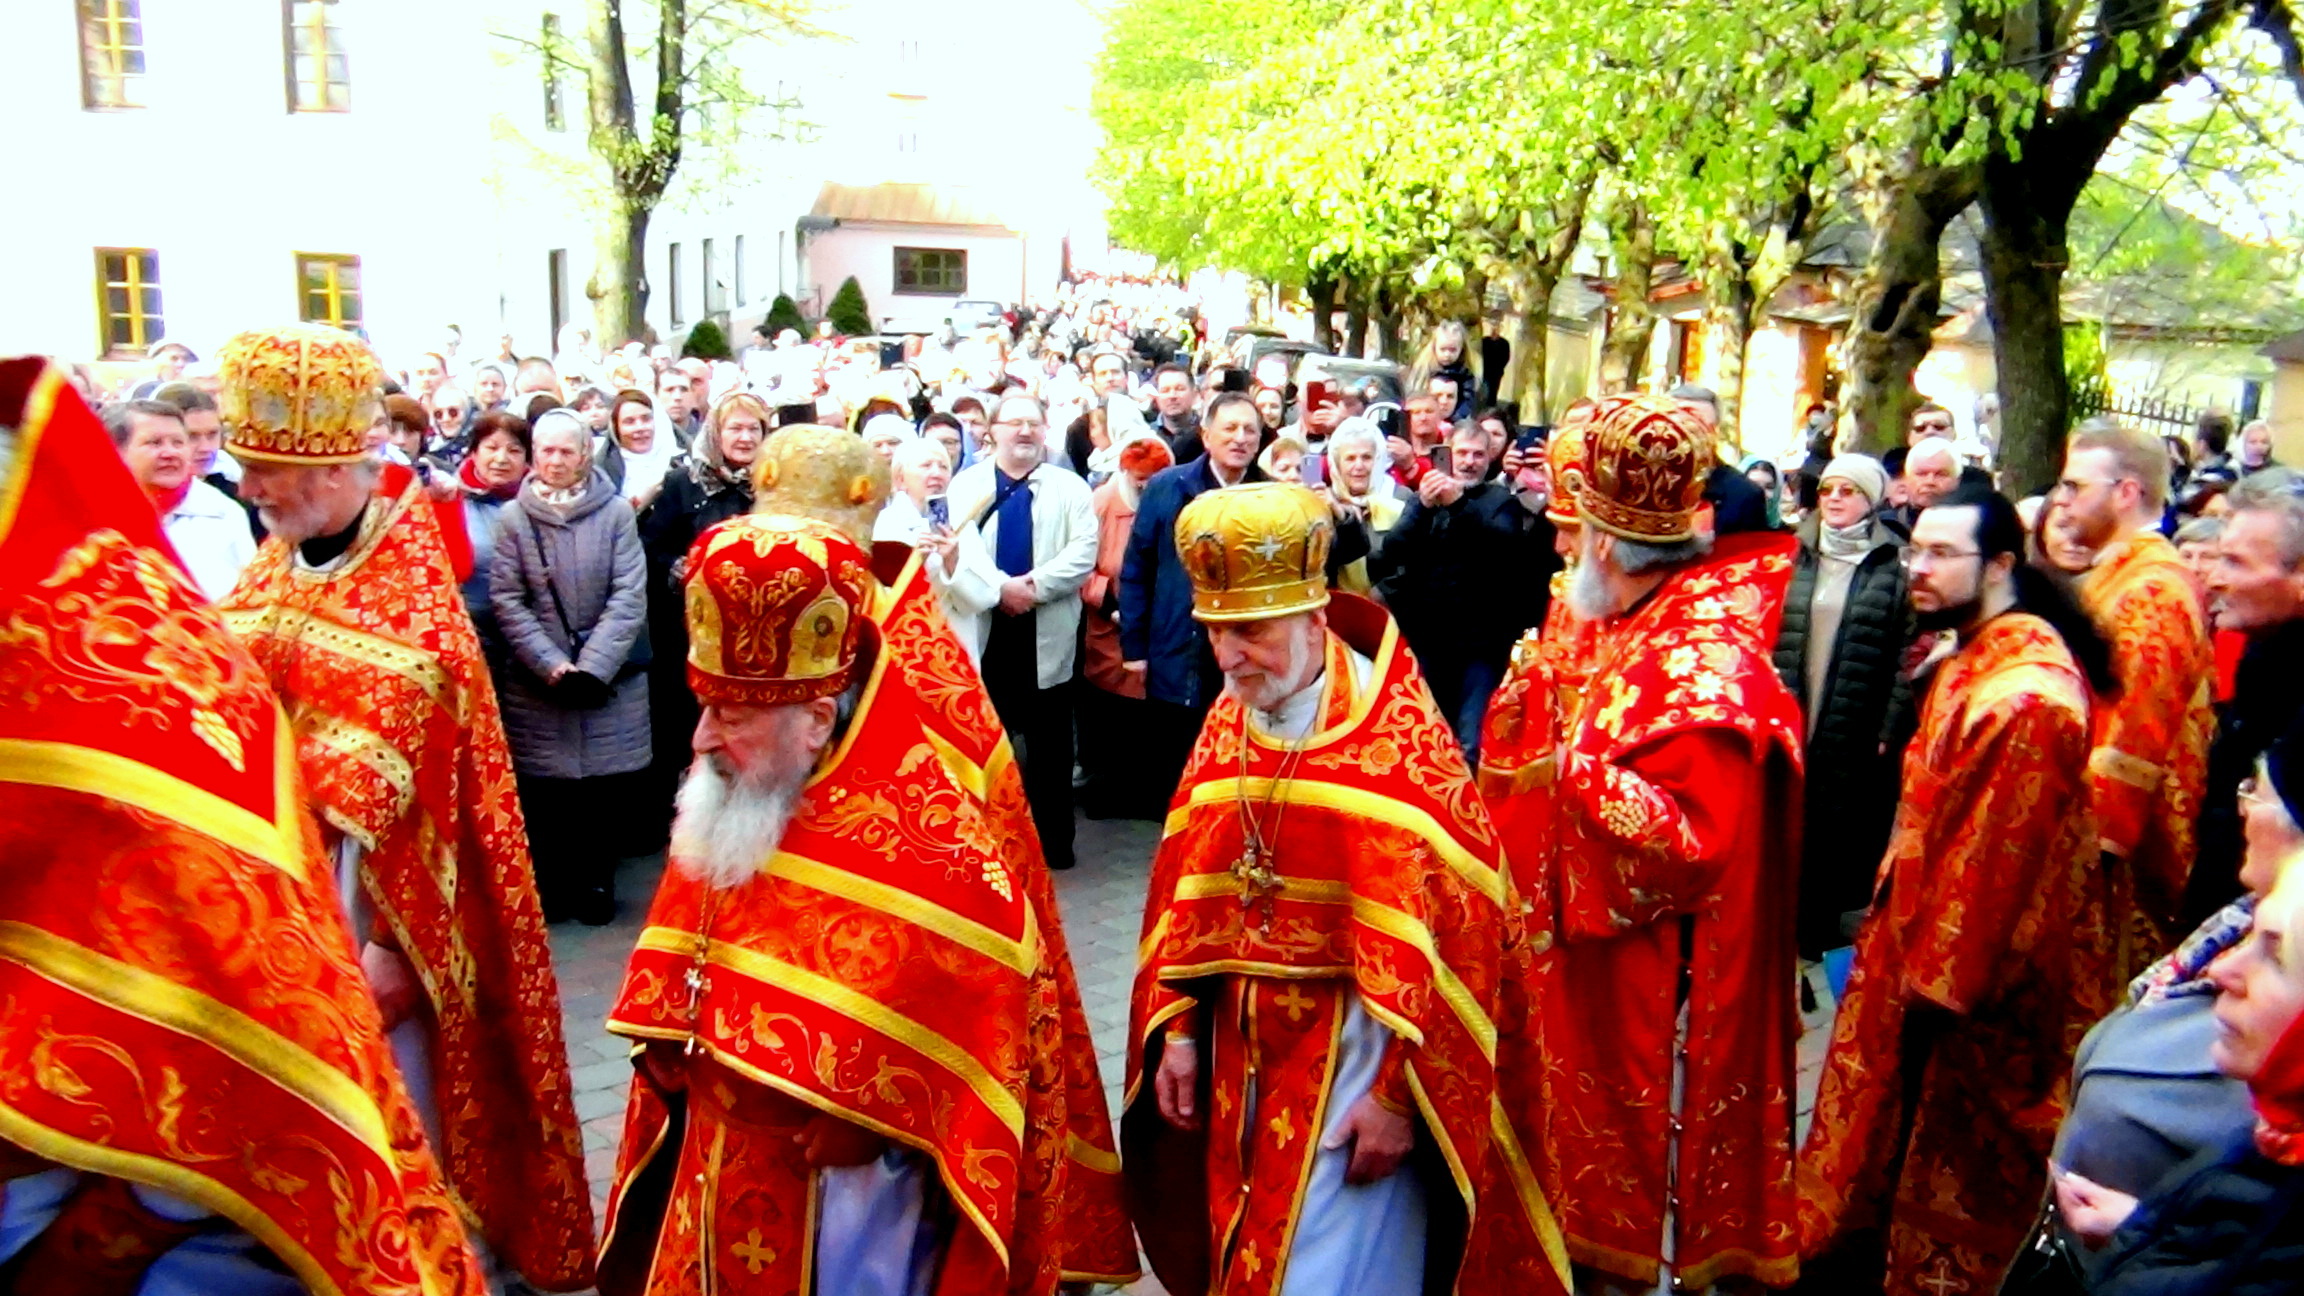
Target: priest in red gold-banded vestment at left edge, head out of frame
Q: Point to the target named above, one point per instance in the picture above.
(195, 1087)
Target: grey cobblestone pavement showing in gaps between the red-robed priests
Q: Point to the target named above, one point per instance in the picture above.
(1102, 905)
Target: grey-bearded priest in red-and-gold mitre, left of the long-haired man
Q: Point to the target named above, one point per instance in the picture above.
(1651, 817)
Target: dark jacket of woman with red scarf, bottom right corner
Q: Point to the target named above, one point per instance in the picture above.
(2231, 1228)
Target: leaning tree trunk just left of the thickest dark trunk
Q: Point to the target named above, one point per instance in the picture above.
(1893, 322)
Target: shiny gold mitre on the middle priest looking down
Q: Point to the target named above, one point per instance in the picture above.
(1257, 552)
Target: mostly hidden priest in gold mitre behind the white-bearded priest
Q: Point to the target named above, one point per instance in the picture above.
(835, 476)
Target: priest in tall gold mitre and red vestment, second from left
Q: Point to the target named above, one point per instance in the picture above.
(354, 615)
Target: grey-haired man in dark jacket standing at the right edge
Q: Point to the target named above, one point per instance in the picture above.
(2257, 587)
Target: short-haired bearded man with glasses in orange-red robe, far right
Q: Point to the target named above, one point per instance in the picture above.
(2148, 760)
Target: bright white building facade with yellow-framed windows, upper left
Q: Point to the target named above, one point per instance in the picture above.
(407, 165)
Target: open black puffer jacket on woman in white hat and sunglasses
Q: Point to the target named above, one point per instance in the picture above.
(1851, 788)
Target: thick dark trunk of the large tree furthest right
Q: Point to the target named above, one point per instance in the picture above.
(2024, 294)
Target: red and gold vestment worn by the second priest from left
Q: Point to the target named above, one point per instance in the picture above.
(404, 753)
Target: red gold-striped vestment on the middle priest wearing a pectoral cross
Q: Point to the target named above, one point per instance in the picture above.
(1384, 880)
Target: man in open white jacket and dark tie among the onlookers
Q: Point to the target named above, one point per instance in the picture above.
(1040, 543)
